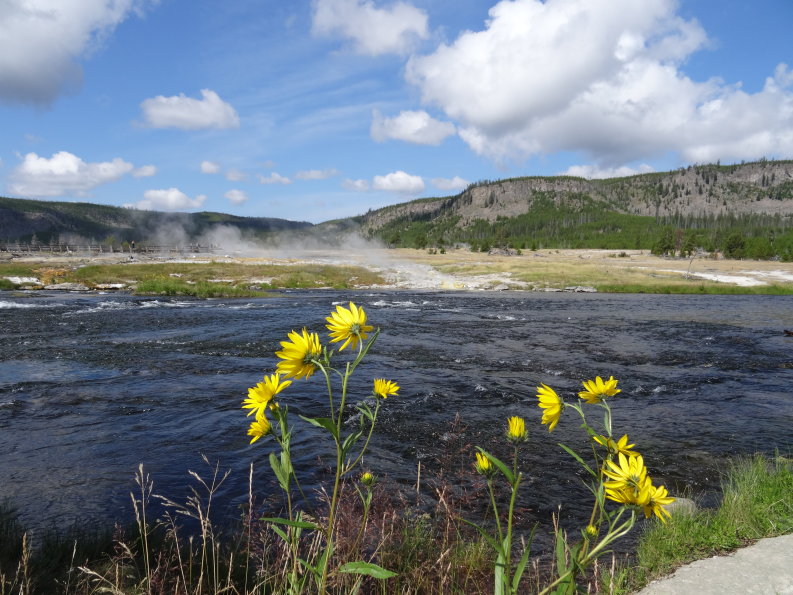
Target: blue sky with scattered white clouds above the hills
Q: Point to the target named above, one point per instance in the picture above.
(312, 110)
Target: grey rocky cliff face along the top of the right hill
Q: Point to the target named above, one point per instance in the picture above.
(761, 187)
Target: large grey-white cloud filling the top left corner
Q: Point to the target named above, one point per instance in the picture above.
(42, 42)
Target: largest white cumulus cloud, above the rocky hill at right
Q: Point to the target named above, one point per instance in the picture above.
(601, 77)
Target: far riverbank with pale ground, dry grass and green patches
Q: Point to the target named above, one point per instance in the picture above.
(615, 271)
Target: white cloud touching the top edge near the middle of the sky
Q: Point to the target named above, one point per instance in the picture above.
(373, 31)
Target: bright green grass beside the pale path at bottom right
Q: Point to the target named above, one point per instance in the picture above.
(757, 502)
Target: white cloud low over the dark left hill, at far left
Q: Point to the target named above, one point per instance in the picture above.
(63, 174)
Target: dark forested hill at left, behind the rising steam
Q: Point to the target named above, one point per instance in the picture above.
(22, 219)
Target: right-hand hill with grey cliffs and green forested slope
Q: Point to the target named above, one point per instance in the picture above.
(701, 206)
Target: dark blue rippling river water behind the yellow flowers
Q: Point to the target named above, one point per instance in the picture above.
(91, 386)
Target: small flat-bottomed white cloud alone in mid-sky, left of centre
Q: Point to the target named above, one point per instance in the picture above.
(187, 113)
